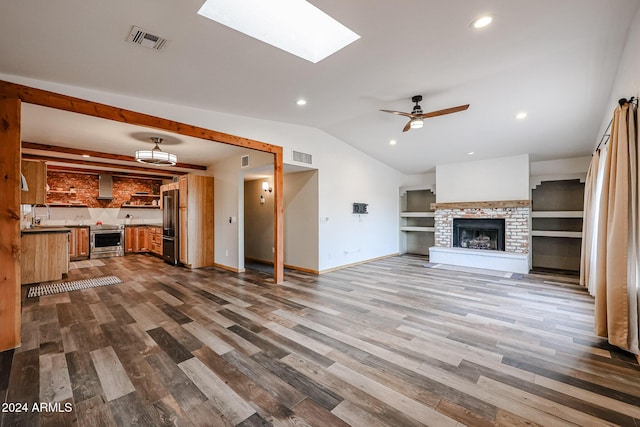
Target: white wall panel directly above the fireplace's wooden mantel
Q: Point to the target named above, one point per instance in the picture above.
(505, 178)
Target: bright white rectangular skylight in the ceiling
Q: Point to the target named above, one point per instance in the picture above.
(295, 26)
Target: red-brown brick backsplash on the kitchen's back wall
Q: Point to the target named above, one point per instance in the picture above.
(85, 189)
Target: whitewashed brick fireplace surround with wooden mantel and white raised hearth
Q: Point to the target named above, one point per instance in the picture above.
(515, 257)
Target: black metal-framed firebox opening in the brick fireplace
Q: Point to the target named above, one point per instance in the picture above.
(479, 233)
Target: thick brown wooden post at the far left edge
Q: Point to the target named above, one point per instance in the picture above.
(9, 223)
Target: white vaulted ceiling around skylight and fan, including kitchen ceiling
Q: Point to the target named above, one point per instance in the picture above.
(555, 59)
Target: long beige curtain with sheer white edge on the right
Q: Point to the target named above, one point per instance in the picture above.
(614, 235)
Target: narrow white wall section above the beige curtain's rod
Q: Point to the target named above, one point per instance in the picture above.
(627, 82)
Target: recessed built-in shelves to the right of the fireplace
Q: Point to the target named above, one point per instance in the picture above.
(556, 224)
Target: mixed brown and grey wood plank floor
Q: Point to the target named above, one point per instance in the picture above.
(388, 343)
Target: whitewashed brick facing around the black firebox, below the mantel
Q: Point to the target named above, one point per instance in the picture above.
(517, 225)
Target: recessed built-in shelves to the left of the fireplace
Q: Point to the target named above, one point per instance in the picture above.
(416, 221)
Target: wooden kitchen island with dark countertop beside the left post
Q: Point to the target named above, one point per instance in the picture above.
(44, 254)
